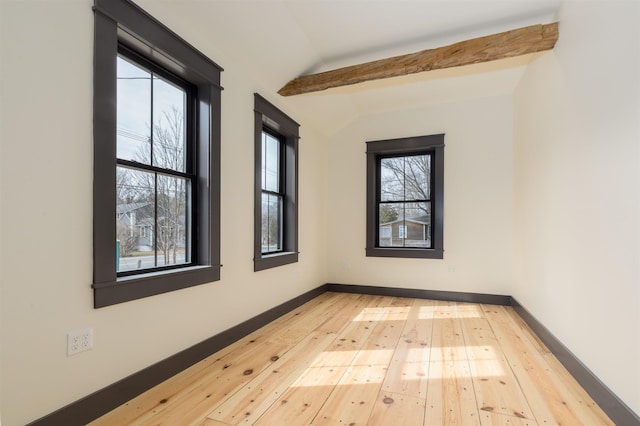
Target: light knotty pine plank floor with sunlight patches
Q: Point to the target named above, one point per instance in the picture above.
(348, 359)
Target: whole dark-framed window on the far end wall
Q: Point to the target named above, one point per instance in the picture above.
(404, 197)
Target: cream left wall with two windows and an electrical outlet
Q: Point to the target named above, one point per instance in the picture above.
(46, 172)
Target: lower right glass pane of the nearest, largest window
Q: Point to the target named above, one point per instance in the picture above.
(173, 227)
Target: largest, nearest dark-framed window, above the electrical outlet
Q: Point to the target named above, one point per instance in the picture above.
(156, 158)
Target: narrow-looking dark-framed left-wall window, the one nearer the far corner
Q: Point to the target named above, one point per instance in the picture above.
(276, 171)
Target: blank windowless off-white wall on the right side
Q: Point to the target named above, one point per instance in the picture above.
(577, 190)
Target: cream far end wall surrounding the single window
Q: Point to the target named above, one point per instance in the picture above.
(477, 199)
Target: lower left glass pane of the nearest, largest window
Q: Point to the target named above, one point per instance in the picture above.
(135, 224)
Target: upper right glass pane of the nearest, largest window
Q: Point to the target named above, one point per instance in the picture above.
(169, 111)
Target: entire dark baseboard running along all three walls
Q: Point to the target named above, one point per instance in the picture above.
(101, 402)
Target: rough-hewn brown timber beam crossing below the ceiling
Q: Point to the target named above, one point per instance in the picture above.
(522, 41)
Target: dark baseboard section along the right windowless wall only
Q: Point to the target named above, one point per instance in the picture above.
(617, 410)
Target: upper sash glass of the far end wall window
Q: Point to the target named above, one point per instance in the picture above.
(405, 178)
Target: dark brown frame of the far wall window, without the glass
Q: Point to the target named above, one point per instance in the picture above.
(433, 144)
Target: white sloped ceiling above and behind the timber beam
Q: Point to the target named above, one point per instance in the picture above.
(278, 40)
